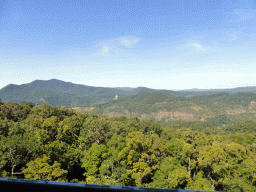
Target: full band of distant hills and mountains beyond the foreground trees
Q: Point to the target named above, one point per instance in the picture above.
(219, 106)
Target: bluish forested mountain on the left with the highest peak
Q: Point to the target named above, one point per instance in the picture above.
(57, 93)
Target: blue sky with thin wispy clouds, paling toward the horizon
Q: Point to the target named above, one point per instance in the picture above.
(159, 44)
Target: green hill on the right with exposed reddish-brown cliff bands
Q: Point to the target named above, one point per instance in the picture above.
(217, 109)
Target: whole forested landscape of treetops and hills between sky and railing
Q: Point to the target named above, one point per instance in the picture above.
(132, 137)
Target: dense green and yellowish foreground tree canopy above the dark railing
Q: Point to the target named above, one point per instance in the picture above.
(42, 142)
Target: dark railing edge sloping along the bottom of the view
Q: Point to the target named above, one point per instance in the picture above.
(8, 184)
